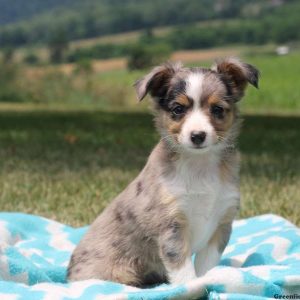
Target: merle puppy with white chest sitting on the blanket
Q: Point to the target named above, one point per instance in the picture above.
(187, 195)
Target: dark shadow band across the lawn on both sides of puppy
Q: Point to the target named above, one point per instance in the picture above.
(51, 141)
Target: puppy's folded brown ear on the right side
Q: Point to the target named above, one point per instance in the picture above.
(236, 75)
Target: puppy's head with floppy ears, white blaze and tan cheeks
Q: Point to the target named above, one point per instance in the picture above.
(196, 107)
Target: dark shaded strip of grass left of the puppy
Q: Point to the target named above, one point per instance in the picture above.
(53, 141)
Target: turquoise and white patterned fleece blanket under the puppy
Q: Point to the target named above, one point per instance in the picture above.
(261, 261)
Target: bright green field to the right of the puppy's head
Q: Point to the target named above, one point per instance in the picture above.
(279, 85)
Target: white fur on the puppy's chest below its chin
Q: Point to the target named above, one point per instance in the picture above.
(202, 195)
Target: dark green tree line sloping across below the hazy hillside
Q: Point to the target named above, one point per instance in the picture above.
(275, 27)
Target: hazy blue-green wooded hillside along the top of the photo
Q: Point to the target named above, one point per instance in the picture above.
(35, 21)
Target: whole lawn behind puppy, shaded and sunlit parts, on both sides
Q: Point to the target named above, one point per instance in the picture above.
(68, 165)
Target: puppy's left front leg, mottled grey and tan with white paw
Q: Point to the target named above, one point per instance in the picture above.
(175, 252)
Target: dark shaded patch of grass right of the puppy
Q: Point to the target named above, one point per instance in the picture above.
(270, 146)
